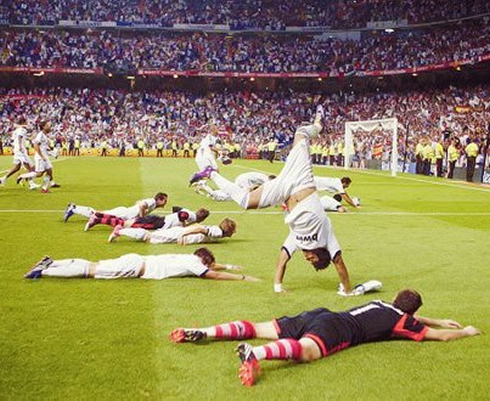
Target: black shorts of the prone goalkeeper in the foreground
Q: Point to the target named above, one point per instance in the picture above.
(321, 325)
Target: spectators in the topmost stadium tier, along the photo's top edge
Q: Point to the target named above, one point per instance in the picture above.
(271, 14)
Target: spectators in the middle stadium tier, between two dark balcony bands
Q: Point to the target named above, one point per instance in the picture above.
(376, 51)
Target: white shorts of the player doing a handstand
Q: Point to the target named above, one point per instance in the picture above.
(295, 176)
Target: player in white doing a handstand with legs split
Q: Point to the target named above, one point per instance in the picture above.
(310, 229)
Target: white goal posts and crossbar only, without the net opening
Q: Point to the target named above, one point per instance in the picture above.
(387, 124)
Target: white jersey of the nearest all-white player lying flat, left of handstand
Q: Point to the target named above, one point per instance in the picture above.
(159, 267)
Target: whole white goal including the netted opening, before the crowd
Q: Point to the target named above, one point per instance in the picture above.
(363, 137)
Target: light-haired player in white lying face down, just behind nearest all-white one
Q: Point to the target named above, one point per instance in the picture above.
(193, 234)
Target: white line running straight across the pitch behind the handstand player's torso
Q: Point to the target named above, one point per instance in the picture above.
(226, 212)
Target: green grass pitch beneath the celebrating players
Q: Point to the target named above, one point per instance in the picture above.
(87, 339)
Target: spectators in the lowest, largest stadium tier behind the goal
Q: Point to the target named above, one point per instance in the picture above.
(250, 121)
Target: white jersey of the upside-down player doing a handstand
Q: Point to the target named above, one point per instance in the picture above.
(310, 228)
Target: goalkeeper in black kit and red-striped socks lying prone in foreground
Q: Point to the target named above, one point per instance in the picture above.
(320, 332)
